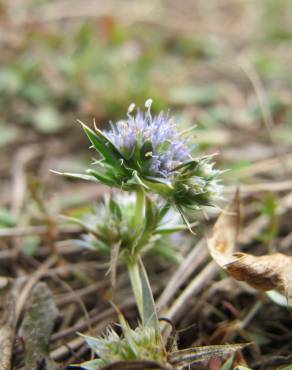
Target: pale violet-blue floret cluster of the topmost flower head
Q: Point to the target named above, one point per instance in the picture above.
(157, 138)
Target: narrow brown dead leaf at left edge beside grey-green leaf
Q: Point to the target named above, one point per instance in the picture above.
(7, 321)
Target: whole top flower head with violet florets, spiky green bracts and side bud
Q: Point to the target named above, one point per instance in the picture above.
(145, 152)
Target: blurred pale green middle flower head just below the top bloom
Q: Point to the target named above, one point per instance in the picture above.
(114, 224)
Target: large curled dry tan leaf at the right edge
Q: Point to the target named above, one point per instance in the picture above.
(268, 272)
